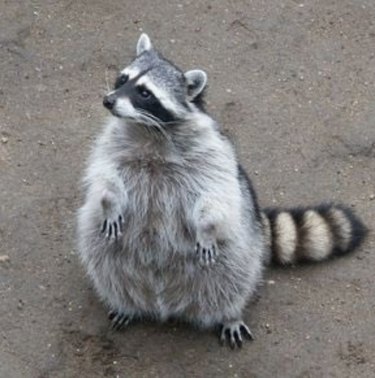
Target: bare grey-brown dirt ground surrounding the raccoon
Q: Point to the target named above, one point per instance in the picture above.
(291, 81)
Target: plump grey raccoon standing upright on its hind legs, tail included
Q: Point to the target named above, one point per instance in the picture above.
(170, 226)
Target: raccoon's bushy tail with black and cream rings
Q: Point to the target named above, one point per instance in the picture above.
(311, 233)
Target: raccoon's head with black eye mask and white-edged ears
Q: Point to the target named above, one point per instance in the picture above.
(153, 91)
